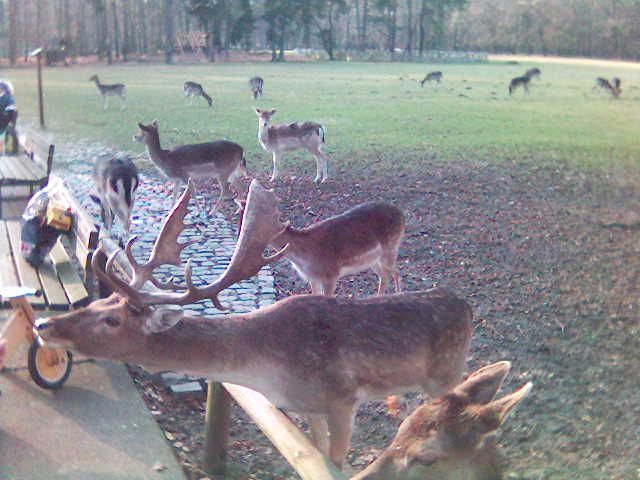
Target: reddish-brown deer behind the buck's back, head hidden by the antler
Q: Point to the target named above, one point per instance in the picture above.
(366, 236)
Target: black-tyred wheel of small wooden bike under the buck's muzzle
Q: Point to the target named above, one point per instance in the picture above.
(49, 366)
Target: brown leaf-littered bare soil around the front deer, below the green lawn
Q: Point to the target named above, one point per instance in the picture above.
(548, 258)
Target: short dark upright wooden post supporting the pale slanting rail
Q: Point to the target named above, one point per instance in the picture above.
(216, 429)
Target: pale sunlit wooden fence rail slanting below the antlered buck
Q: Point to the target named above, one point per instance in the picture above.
(293, 444)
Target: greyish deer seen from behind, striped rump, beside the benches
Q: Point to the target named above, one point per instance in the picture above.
(116, 181)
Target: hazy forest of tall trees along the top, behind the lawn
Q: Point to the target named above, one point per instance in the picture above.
(122, 30)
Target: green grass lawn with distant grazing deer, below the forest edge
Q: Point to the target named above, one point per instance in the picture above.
(369, 112)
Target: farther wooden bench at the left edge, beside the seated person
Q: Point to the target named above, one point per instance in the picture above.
(30, 168)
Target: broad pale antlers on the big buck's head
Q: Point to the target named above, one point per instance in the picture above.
(261, 225)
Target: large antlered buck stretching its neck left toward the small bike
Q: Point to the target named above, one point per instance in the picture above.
(316, 355)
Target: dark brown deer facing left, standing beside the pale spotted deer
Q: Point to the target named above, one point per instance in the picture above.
(222, 160)
